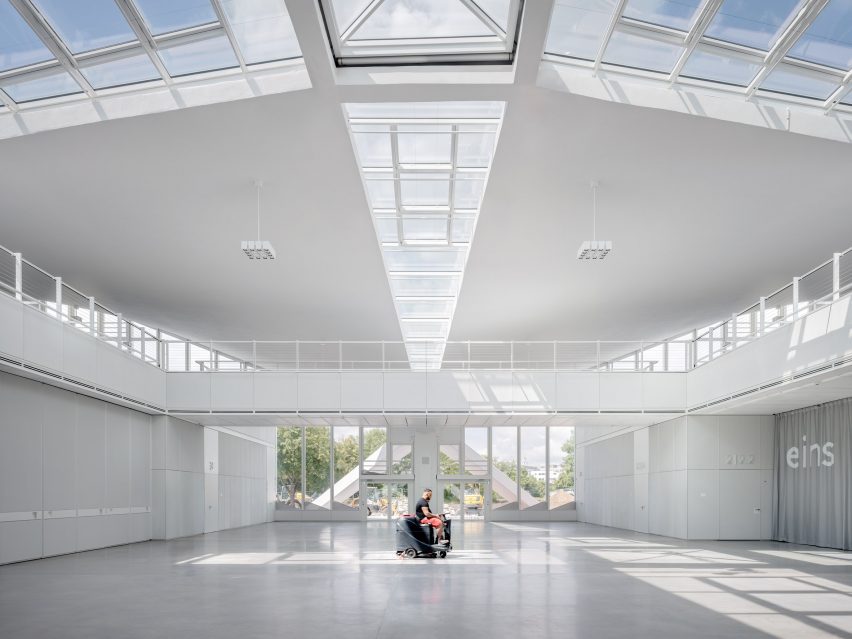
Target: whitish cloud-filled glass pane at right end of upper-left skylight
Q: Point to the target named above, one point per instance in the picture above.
(263, 30)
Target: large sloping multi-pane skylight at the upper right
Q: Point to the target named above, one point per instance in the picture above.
(799, 49)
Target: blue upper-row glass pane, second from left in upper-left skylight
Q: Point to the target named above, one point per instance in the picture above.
(86, 25)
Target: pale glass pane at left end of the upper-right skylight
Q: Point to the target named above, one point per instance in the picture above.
(577, 27)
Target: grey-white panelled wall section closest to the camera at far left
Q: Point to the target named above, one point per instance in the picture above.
(74, 472)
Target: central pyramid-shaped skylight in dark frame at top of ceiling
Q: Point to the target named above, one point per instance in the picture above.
(366, 32)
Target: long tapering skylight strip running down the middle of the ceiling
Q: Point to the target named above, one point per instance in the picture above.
(425, 167)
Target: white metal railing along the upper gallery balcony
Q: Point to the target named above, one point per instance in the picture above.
(50, 295)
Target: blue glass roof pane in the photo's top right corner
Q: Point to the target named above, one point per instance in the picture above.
(828, 40)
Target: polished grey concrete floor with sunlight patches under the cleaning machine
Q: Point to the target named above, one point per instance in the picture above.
(502, 580)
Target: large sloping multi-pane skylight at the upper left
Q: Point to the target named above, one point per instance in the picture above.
(55, 48)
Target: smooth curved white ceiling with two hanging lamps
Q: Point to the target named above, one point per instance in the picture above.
(147, 214)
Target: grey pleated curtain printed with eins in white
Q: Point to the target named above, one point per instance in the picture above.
(813, 475)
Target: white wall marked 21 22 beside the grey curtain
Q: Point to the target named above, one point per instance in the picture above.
(696, 477)
